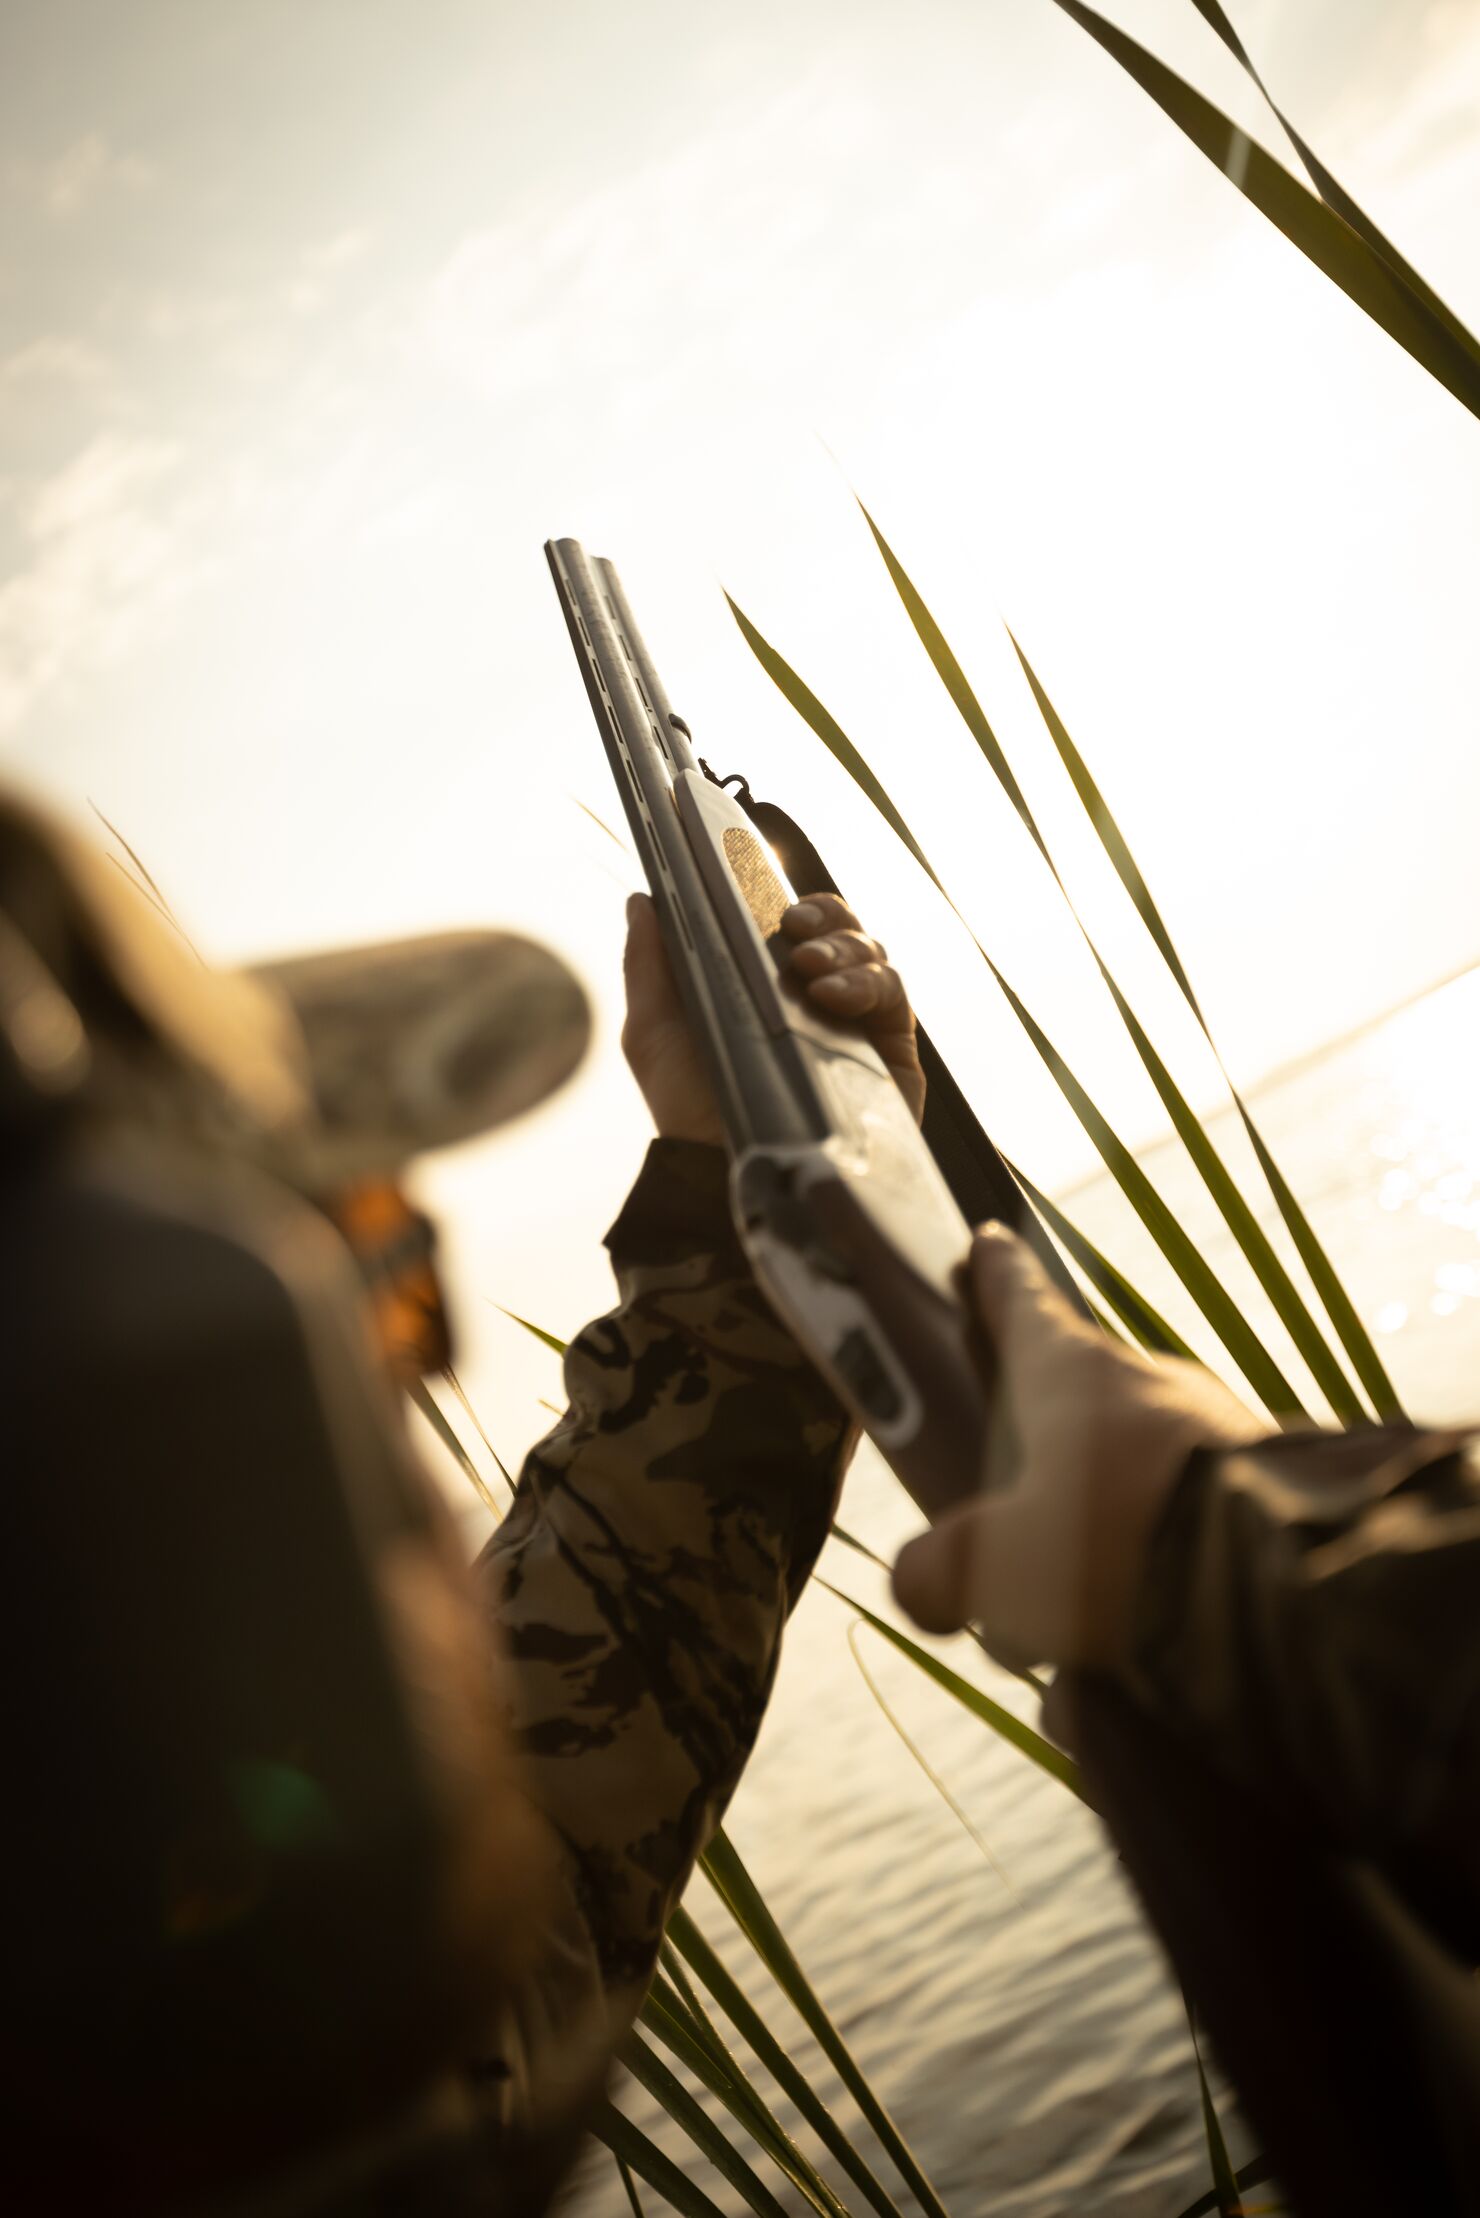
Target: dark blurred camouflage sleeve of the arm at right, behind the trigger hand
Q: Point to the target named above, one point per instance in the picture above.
(1293, 1782)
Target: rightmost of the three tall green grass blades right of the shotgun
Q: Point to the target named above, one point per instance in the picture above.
(1328, 1285)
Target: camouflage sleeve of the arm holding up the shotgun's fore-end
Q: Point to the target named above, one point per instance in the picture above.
(638, 1589)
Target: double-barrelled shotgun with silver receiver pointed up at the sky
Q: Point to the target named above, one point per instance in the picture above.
(840, 1205)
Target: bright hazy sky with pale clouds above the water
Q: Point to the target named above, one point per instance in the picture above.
(318, 318)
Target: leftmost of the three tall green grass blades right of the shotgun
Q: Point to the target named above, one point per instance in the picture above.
(1237, 1336)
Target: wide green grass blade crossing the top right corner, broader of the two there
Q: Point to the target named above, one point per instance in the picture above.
(1326, 238)
